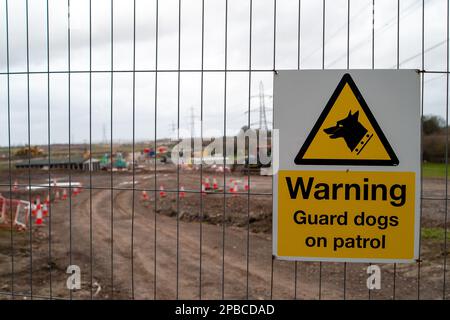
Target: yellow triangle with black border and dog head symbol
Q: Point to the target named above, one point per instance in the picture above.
(346, 133)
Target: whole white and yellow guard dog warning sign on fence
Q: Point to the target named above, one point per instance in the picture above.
(348, 185)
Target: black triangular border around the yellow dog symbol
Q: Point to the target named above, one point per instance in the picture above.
(347, 79)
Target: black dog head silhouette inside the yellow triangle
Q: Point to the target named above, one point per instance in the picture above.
(348, 128)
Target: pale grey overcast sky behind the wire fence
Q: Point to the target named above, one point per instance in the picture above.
(287, 57)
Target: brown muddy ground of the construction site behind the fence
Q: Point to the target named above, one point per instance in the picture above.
(98, 229)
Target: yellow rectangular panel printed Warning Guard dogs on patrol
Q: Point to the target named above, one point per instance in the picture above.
(346, 215)
